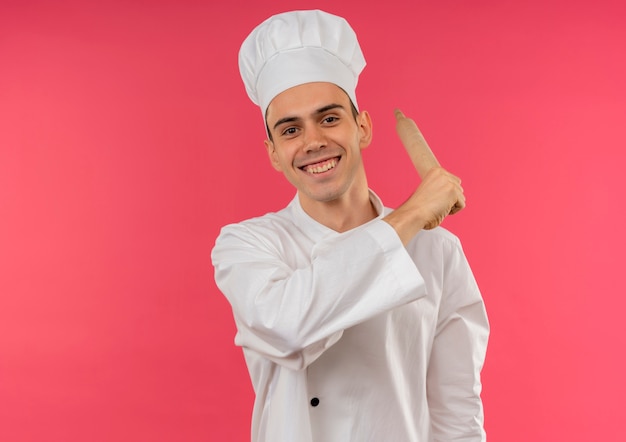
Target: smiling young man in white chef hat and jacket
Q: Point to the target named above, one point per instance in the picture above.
(357, 323)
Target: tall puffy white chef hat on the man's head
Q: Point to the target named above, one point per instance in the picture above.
(299, 47)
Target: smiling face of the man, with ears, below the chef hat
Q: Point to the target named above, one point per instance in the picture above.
(316, 142)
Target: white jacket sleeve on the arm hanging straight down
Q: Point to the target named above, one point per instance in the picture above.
(458, 353)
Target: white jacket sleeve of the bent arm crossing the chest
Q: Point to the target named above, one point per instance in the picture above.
(292, 313)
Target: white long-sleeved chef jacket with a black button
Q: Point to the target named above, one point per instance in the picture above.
(351, 337)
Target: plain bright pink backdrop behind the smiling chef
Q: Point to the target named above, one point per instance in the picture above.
(127, 140)
